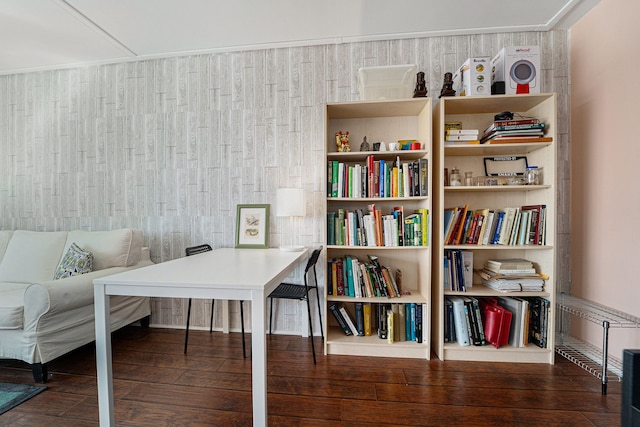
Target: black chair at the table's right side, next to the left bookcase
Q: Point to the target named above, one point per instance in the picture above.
(300, 292)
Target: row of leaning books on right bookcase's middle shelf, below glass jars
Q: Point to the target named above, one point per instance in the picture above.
(525, 225)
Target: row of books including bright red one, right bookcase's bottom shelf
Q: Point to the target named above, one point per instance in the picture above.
(515, 321)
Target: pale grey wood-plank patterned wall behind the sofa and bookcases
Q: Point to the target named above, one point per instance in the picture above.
(171, 146)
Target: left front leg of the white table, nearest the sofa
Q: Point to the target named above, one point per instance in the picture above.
(103, 356)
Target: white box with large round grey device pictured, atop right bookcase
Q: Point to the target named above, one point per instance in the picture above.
(518, 67)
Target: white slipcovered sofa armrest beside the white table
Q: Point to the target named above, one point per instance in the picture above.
(54, 296)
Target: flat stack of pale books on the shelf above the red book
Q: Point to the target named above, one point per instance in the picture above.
(509, 275)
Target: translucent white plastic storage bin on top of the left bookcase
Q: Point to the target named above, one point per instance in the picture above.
(387, 82)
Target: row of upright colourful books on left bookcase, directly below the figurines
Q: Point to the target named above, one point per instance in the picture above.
(378, 178)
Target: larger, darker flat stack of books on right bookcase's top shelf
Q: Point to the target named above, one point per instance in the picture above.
(514, 131)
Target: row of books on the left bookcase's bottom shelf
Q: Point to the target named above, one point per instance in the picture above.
(391, 322)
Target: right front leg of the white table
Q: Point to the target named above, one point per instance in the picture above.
(259, 358)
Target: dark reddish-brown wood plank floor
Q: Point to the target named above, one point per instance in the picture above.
(156, 385)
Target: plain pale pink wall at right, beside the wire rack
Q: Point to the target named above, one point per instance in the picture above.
(605, 156)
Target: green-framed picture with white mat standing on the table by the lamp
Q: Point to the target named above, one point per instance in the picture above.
(252, 226)
